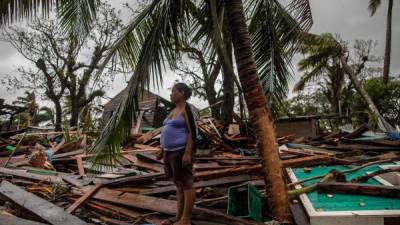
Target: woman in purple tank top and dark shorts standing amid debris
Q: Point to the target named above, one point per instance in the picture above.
(178, 143)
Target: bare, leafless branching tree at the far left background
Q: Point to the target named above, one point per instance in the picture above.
(62, 62)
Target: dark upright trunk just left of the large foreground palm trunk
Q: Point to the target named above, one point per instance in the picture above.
(228, 85)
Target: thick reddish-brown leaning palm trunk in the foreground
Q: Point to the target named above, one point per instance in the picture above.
(277, 198)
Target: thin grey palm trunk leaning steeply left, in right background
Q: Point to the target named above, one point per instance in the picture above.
(383, 124)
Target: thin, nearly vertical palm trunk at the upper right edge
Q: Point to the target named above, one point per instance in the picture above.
(388, 45)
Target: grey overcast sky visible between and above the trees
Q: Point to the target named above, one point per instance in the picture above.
(349, 18)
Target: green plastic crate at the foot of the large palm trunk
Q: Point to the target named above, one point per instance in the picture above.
(246, 202)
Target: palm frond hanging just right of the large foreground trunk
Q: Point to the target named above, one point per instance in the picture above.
(276, 32)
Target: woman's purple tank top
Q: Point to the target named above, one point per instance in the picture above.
(174, 134)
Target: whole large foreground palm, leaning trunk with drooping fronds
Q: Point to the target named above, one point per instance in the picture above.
(149, 40)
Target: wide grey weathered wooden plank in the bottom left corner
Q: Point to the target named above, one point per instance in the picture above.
(40, 207)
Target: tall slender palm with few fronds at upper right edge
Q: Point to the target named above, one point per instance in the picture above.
(373, 6)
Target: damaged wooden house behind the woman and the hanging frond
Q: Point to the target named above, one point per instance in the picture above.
(155, 108)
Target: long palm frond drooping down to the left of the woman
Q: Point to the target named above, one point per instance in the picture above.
(146, 48)
